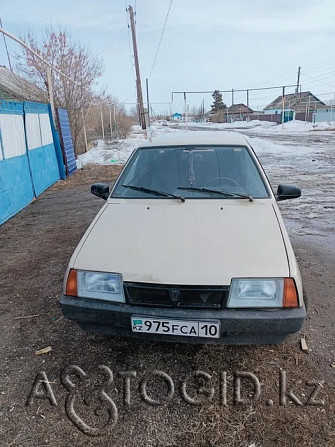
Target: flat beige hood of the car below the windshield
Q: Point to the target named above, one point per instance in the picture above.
(200, 242)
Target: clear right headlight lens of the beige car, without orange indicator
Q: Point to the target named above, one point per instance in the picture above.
(258, 292)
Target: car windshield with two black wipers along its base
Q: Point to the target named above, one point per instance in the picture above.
(185, 170)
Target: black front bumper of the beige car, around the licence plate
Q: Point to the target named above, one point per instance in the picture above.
(242, 326)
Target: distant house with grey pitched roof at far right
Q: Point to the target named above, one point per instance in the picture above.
(295, 104)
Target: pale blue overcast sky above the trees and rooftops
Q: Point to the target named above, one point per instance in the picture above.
(207, 45)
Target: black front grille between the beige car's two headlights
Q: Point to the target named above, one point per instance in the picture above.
(176, 296)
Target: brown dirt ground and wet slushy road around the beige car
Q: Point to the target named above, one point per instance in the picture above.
(35, 247)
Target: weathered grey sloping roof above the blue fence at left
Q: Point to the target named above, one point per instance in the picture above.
(14, 87)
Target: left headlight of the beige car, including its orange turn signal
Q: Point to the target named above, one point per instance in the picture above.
(98, 285)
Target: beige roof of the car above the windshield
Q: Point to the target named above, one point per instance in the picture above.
(195, 138)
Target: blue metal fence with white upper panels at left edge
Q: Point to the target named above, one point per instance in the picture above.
(29, 160)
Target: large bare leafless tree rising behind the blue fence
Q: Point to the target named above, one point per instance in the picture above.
(73, 59)
